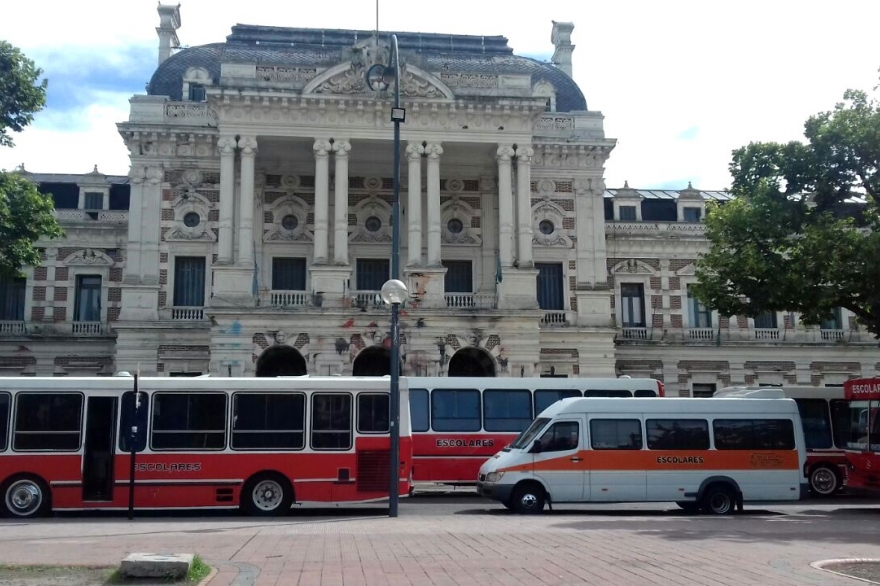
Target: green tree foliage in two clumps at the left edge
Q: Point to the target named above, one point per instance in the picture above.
(25, 213)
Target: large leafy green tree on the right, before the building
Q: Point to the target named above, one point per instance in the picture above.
(803, 232)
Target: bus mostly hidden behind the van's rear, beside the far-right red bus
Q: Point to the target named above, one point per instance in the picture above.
(825, 416)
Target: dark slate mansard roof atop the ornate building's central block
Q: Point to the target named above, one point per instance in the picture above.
(267, 45)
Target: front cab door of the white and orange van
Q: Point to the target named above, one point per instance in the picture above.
(560, 461)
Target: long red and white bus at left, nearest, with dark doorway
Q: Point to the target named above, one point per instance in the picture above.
(261, 444)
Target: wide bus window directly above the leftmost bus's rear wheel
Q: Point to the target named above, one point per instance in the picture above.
(268, 421)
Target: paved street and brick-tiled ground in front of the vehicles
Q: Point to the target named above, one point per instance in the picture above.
(458, 540)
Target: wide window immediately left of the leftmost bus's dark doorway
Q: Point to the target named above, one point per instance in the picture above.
(47, 421)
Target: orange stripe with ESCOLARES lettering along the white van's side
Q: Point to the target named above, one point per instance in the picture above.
(654, 460)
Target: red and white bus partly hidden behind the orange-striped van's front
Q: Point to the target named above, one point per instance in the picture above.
(457, 423)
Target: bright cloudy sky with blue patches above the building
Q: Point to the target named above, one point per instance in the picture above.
(681, 83)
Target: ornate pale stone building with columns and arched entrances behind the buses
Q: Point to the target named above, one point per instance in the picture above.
(253, 231)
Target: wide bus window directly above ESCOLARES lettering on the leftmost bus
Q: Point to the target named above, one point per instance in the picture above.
(191, 421)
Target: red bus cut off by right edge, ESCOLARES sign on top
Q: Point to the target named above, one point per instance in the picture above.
(863, 441)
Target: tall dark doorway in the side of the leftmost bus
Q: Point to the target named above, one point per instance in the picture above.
(98, 452)
